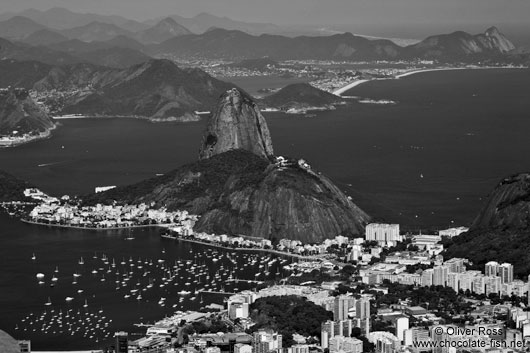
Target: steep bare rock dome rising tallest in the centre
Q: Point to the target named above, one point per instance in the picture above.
(236, 124)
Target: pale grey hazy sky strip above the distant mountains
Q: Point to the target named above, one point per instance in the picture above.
(377, 12)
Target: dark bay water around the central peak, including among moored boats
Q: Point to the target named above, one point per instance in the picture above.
(426, 162)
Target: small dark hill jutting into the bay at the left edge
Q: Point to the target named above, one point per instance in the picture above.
(18, 112)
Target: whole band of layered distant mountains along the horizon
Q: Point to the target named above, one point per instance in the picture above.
(227, 39)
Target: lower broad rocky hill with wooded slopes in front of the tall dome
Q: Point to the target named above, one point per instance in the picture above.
(238, 192)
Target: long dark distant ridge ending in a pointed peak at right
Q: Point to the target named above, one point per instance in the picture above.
(236, 45)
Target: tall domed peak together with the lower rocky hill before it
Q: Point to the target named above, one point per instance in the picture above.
(239, 187)
